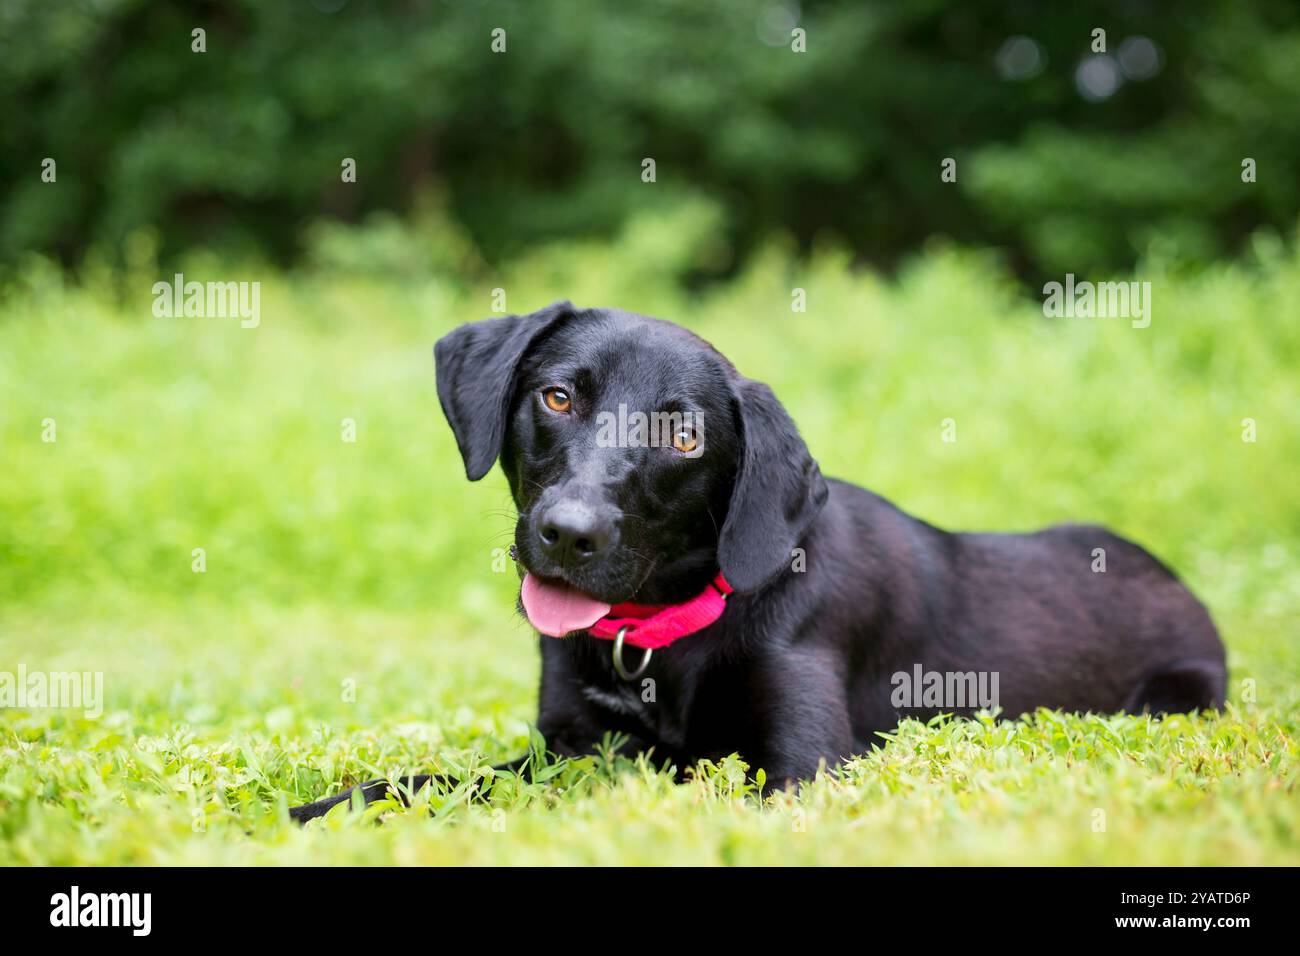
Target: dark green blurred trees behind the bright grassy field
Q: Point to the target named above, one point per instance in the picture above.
(240, 149)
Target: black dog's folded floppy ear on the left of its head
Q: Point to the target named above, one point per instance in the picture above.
(476, 370)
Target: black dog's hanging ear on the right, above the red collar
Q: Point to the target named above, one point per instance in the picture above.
(779, 491)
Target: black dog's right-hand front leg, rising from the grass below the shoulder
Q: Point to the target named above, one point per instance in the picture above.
(803, 715)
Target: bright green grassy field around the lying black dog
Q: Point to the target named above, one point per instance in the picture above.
(352, 621)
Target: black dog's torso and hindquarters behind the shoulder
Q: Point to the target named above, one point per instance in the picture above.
(1072, 617)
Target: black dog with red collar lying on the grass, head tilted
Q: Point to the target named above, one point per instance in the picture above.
(840, 602)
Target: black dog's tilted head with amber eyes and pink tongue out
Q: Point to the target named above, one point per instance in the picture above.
(640, 461)
